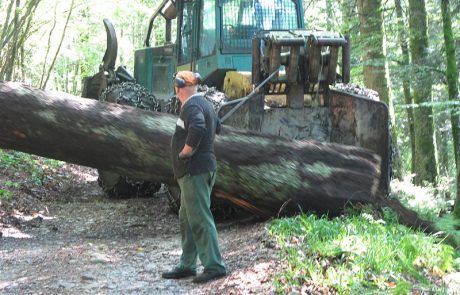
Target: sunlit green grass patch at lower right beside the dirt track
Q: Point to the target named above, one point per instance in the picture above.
(359, 254)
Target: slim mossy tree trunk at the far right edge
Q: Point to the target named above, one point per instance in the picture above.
(452, 80)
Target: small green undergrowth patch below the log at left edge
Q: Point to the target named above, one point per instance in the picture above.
(28, 168)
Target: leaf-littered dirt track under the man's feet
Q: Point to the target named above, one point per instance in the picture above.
(66, 237)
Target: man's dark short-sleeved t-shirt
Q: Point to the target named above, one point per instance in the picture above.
(196, 126)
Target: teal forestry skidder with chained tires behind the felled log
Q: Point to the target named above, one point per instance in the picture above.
(280, 76)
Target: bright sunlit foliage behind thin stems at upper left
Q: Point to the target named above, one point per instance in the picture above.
(84, 43)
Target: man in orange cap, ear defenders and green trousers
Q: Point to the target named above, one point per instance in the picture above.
(194, 165)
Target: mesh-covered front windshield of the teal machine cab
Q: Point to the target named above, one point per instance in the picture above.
(241, 19)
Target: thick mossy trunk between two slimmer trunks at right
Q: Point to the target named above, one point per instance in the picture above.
(425, 161)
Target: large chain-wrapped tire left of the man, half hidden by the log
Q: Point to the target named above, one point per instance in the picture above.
(115, 185)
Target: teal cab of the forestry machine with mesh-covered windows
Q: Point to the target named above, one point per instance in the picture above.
(211, 37)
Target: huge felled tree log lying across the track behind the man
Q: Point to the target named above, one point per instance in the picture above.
(262, 173)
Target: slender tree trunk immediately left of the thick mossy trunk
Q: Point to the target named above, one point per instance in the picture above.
(405, 78)
